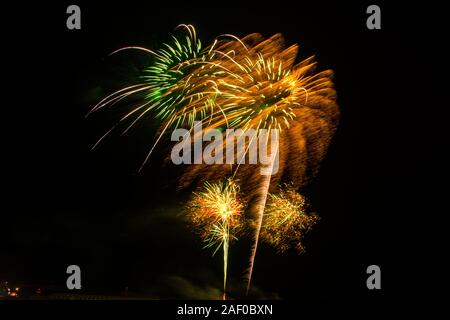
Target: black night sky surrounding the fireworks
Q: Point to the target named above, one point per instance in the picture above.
(377, 191)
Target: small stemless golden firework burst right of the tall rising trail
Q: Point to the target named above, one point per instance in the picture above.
(286, 220)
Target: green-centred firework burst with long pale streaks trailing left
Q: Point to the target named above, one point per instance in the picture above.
(178, 88)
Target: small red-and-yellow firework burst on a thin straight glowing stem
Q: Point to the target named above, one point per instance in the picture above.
(216, 212)
